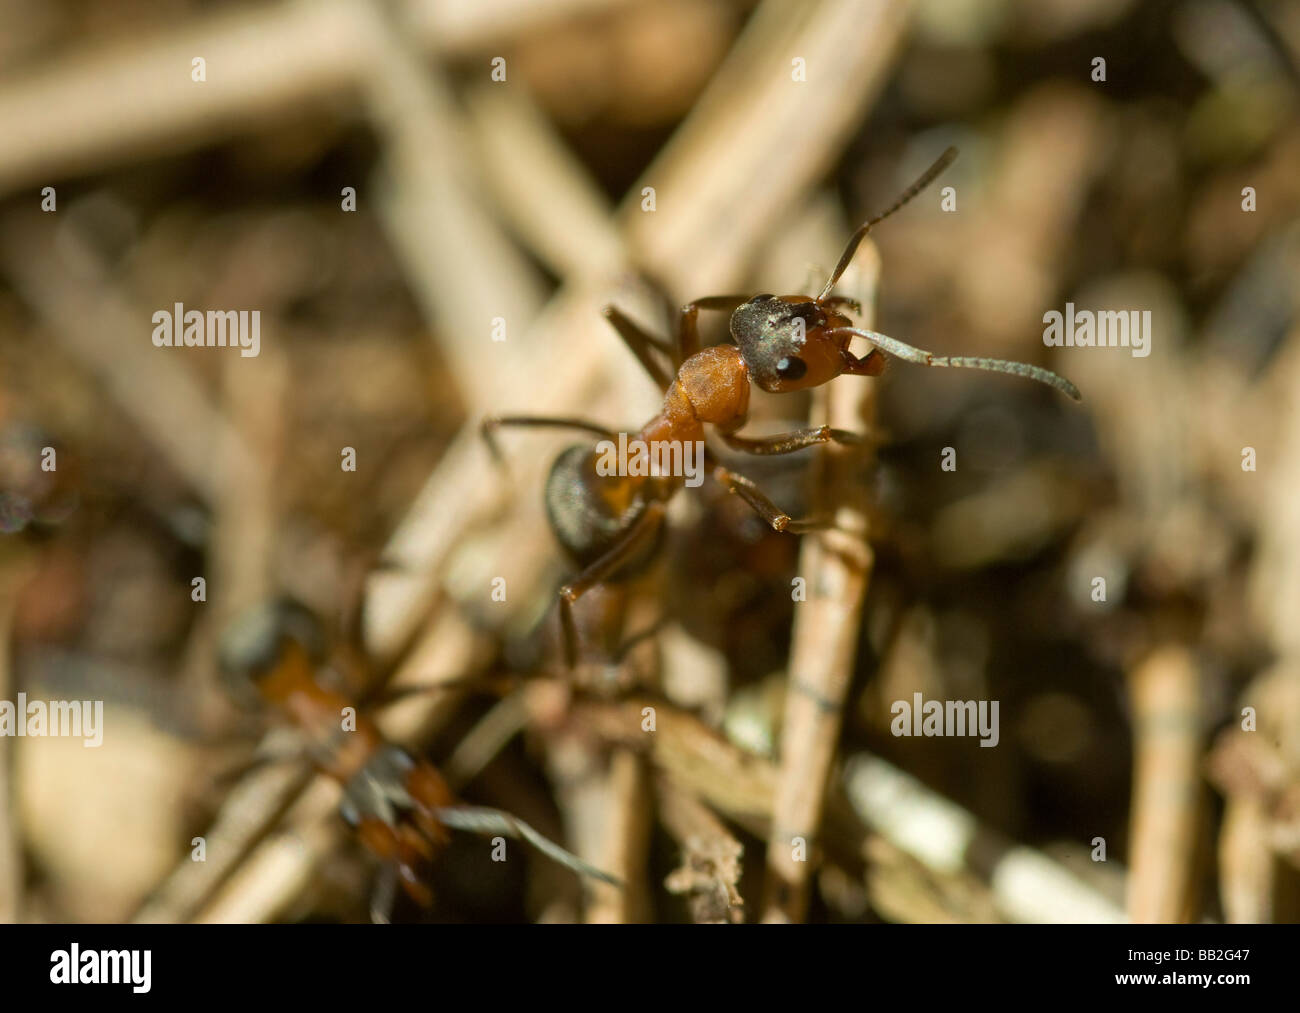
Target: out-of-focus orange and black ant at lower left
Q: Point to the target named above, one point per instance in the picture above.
(401, 808)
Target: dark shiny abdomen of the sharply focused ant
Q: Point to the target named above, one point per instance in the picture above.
(591, 513)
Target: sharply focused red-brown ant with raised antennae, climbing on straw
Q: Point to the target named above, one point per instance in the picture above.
(782, 344)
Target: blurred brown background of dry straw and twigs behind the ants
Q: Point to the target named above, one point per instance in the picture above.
(522, 201)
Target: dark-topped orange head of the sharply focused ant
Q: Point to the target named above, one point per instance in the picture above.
(785, 344)
